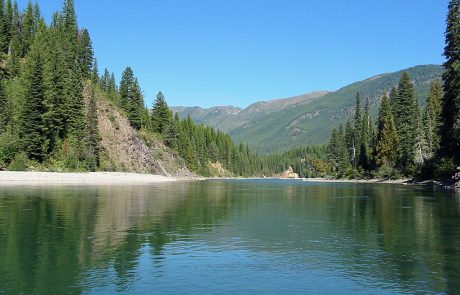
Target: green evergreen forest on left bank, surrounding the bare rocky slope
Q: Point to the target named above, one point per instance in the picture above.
(47, 123)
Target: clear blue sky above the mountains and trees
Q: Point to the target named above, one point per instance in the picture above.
(235, 52)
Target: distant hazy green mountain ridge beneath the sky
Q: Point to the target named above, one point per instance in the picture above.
(306, 119)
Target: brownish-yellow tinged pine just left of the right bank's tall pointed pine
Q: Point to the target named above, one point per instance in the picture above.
(387, 138)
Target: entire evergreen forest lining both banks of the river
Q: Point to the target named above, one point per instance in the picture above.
(48, 123)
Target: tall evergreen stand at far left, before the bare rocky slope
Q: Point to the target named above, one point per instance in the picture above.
(43, 117)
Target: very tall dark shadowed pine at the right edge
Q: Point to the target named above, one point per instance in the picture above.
(450, 130)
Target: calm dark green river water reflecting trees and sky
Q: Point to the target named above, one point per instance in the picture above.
(229, 237)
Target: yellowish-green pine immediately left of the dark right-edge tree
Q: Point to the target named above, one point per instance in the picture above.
(432, 119)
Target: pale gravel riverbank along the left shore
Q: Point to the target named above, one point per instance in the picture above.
(90, 178)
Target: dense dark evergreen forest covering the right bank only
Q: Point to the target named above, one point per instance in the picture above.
(406, 140)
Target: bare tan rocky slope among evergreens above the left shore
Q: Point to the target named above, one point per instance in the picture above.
(127, 149)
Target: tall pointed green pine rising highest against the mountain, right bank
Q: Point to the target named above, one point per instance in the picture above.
(406, 116)
